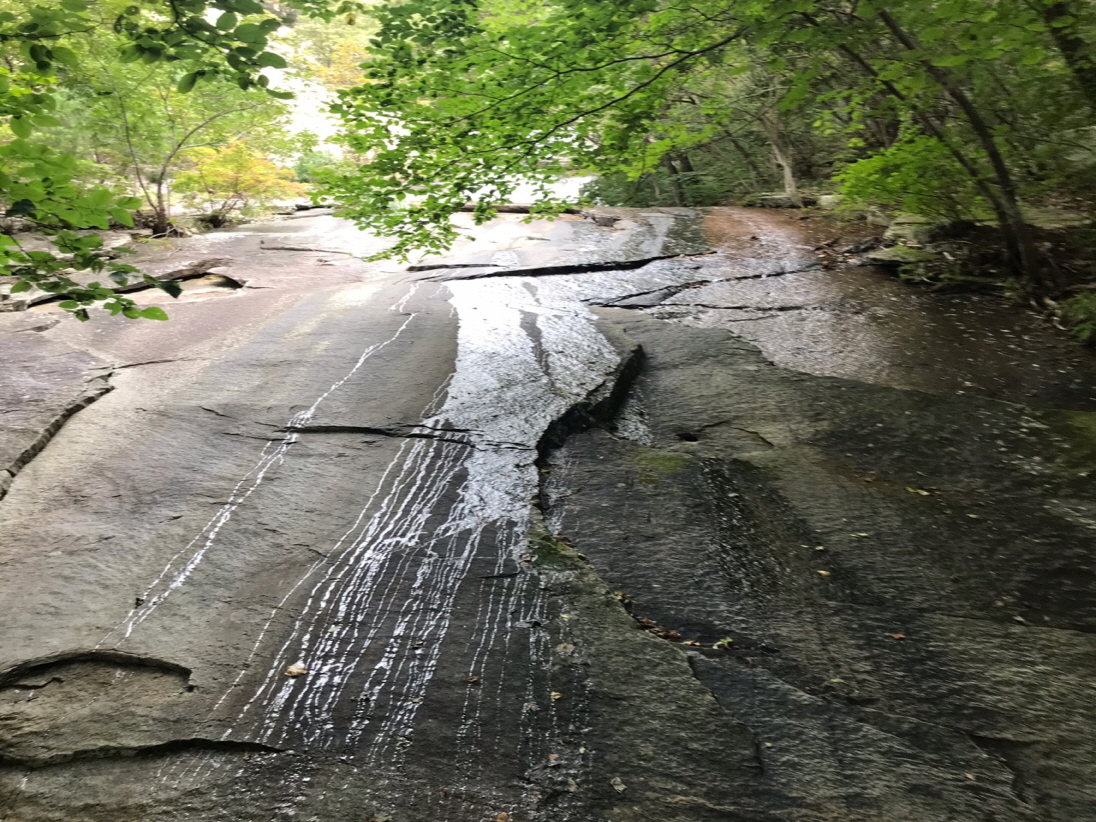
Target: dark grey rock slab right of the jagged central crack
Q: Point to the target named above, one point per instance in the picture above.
(892, 590)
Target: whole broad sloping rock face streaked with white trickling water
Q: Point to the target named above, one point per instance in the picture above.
(403, 550)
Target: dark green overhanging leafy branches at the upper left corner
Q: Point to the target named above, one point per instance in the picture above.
(48, 61)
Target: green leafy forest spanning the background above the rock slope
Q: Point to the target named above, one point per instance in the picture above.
(975, 116)
